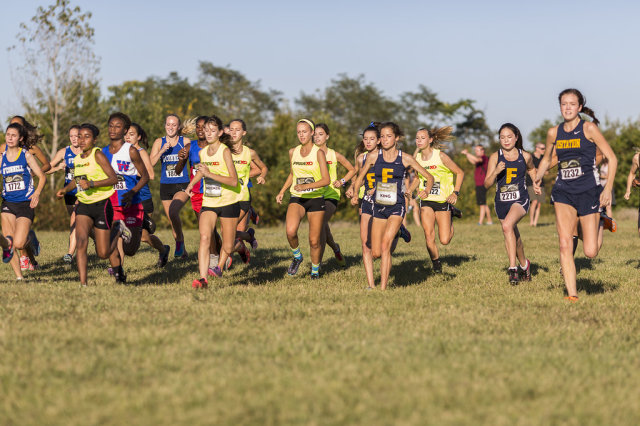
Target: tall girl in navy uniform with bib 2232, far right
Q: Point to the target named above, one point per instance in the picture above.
(577, 195)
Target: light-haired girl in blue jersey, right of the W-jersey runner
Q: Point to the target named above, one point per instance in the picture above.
(172, 184)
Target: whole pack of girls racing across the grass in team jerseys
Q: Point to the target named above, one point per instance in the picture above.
(108, 199)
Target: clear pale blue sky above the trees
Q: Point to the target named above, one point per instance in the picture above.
(512, 57)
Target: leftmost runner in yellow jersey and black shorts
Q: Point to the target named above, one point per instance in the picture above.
(94, 178)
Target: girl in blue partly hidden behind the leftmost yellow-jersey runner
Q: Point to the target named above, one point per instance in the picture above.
(63, 160)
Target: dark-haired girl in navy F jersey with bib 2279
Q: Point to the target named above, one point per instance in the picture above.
(508, 167)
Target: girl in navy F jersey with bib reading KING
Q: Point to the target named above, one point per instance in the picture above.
(389, 166)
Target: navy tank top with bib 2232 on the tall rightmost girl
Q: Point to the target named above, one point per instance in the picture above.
(577, 171)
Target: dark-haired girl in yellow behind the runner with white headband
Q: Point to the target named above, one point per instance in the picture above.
(332, 191)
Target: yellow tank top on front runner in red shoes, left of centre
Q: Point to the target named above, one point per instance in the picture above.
(216, 194)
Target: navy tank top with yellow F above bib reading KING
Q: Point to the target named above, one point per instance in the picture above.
(389, 180)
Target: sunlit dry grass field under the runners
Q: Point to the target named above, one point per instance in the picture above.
(463, 347)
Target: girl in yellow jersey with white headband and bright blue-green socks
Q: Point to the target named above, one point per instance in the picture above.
(309, 169)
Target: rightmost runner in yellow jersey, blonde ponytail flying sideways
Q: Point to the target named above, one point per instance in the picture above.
(437, 204)
